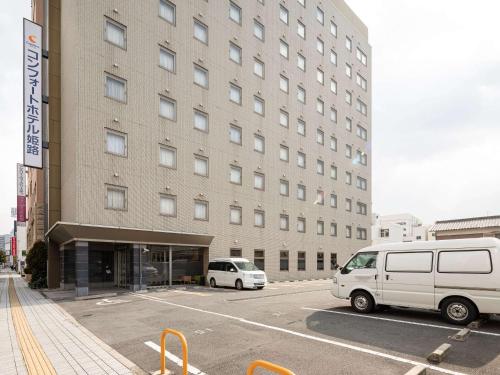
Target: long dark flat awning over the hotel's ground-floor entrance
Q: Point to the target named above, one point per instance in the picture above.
(62, 232)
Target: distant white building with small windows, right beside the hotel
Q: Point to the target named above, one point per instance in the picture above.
(398, 228)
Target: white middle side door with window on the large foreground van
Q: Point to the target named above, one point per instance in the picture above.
(409, 279)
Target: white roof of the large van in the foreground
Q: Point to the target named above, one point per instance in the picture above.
(485, 242)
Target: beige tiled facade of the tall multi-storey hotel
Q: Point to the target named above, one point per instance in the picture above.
(89, 170)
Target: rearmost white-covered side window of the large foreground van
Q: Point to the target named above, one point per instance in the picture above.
(465, 261)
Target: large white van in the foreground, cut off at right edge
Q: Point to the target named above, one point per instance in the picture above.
(460, 278)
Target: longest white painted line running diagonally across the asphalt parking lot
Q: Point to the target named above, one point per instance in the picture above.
(307, 336)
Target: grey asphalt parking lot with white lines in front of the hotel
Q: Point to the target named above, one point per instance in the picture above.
(298, 325)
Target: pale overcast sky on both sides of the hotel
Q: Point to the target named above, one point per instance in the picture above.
(436, 106)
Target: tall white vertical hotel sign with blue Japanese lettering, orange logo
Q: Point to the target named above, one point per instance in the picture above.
(32, 111)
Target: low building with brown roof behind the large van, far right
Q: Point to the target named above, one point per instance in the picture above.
(474, 227)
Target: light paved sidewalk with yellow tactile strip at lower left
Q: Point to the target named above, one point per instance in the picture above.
(39, 337)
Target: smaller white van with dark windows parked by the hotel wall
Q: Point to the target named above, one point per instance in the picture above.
(237, 272)
